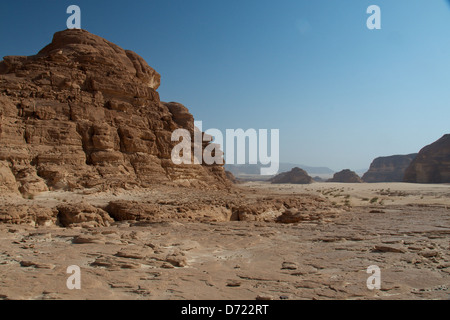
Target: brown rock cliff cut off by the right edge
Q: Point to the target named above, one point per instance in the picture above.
(432, 164)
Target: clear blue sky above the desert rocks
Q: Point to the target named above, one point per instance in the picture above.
(340, 94)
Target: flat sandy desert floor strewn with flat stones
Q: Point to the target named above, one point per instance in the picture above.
(404, 229)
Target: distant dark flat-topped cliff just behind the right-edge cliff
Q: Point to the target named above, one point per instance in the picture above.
(388, 169)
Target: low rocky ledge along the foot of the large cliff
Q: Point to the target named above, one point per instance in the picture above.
(164, 203)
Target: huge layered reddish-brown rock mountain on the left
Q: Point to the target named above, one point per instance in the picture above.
(85, 113)
